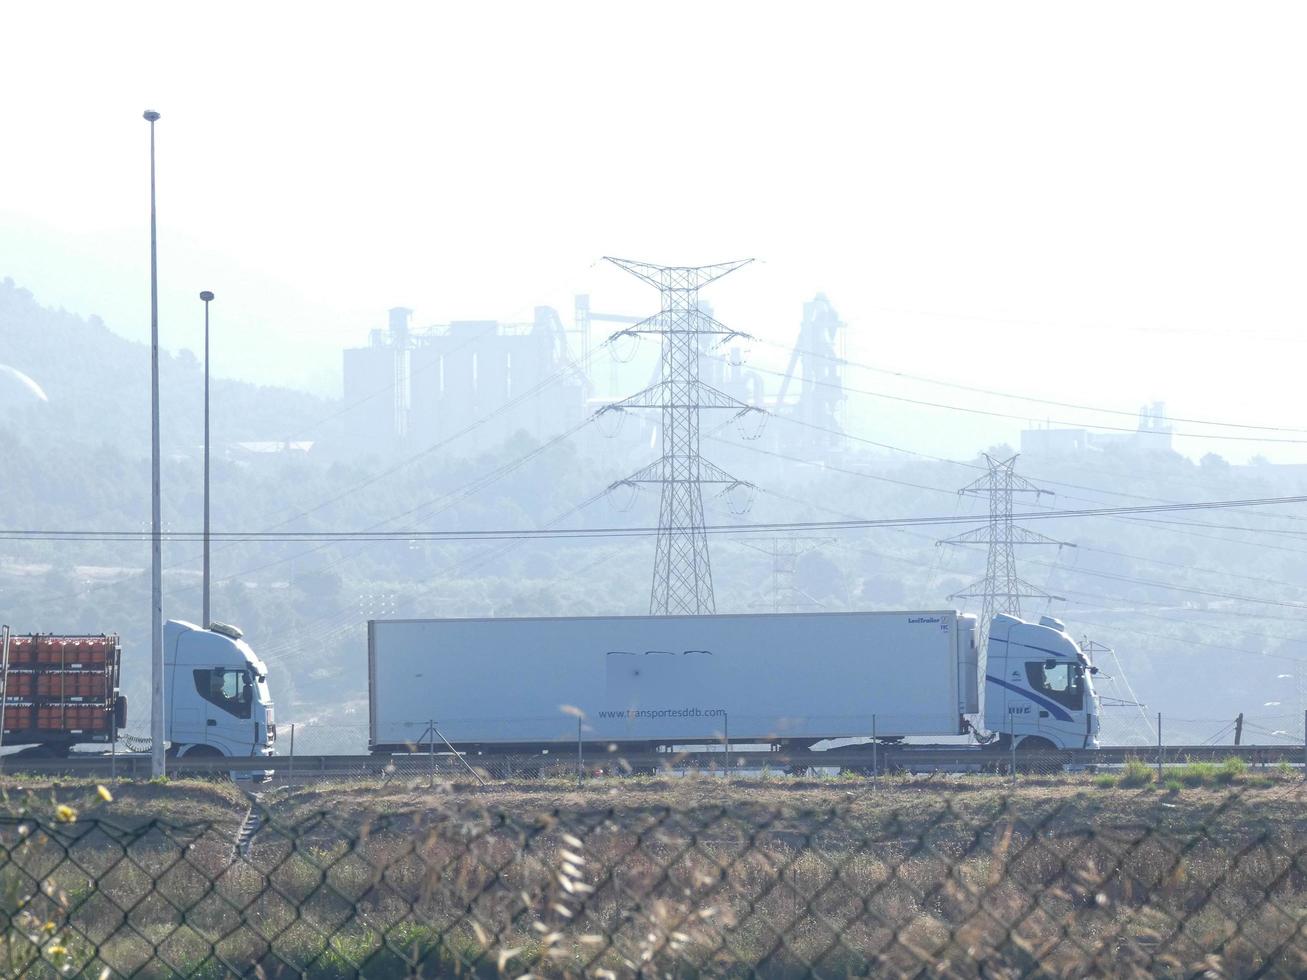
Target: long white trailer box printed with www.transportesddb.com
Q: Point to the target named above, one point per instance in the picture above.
(666, 679)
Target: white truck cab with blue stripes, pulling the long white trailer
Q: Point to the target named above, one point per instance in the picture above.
(1040, 688)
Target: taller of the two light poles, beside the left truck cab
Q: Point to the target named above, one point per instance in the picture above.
(156, 515)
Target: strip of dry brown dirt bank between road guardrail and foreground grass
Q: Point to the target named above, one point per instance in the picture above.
(1272, 803)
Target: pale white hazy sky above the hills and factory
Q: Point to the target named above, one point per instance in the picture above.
(1100, 203)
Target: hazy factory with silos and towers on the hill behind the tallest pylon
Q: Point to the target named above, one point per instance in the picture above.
(415, 389)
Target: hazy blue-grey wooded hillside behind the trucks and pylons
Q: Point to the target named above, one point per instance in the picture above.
(1200, 608)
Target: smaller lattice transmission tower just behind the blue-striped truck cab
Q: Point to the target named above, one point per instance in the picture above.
(1002, 590)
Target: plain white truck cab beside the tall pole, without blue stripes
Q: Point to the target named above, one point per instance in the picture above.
(218, 701)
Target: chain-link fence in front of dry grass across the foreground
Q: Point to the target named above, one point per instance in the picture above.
(1144, 884)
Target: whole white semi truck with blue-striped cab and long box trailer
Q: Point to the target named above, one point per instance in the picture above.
(791, 680)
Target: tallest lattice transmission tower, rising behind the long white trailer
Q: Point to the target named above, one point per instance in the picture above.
(683, 574)
